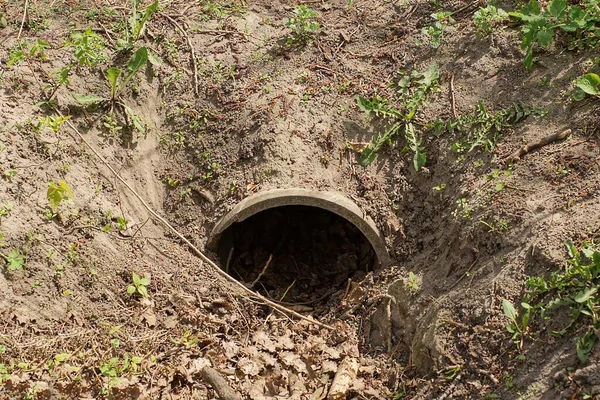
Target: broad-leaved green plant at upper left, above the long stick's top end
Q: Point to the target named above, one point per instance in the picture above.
(118, 80)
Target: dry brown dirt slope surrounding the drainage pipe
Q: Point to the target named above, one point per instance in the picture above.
(267, 116)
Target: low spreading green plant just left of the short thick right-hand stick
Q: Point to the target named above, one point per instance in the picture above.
(484, 129)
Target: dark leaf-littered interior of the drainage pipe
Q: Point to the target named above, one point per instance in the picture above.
(313, 253)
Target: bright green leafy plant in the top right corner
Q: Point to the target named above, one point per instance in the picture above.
(581, 24)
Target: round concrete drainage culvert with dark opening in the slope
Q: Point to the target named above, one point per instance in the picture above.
(297, 246)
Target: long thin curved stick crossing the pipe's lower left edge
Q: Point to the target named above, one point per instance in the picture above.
(202, 256)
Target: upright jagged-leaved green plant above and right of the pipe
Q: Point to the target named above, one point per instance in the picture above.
(412, 91)
